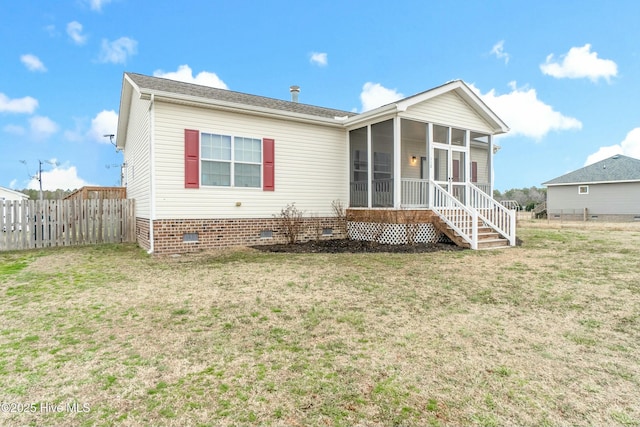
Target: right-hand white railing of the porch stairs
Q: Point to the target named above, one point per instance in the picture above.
(493, 213)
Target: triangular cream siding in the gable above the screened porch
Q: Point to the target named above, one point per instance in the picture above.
(450, 110)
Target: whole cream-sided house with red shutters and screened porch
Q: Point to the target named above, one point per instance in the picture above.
(211, 168)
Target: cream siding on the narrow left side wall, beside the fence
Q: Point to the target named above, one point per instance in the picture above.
(136, 157)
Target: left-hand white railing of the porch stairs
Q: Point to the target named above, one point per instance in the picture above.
(456, 215)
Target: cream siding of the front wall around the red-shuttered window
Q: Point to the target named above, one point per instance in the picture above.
(310, 166)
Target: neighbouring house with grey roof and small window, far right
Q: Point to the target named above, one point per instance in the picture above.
(608, 190)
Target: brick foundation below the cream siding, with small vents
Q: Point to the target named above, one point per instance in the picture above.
(172, 236)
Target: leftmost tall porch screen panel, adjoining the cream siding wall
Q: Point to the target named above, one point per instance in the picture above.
(359, 168)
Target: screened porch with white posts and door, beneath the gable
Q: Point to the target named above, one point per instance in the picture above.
(384, 174)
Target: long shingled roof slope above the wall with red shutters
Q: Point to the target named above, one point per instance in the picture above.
(167, 86)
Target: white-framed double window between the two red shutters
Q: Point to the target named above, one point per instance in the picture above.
(230, 161)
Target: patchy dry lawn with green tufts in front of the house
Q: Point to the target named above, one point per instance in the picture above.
(543, 334)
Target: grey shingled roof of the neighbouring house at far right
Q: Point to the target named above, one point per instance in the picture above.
(614, 169)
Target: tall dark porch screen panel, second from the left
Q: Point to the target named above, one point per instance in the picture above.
(382, 180)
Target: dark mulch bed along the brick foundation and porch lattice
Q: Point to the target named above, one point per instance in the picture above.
(337, 246)
